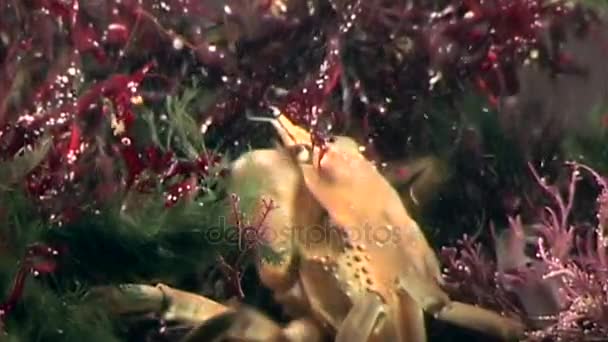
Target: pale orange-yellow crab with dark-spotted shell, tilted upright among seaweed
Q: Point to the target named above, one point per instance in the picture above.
(355, 266)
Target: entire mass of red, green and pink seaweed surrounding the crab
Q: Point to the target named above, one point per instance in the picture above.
(118, 119)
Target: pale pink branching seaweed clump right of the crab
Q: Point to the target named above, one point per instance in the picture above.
(551, 272)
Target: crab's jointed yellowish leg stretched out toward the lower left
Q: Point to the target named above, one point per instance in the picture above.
(213, 321)
